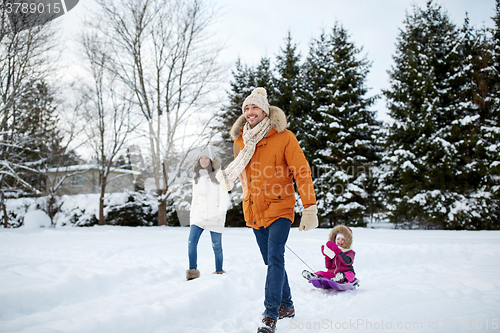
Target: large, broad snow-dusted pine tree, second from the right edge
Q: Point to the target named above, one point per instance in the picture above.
(431, 145)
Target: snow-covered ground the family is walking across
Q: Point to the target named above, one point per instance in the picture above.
(119, 279)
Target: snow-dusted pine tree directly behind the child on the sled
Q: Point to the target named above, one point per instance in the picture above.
(339, 129)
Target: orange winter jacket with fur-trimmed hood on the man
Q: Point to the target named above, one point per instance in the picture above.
(268, 191)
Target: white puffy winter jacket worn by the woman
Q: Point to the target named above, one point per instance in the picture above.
(209, 204)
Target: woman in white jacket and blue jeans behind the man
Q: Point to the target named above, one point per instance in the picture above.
(208, 211)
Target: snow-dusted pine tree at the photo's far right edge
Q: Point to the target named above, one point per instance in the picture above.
(473, 207)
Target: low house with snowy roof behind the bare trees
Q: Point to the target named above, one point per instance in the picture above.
(84, 179)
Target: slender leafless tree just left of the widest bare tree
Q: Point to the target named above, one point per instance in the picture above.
(108, 117)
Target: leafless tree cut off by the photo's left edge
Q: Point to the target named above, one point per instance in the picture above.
(23, 58)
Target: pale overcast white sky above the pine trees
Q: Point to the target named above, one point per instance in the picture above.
(252, 29)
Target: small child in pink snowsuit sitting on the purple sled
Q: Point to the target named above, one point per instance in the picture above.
(339, 257)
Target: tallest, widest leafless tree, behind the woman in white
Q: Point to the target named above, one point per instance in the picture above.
(162, 51)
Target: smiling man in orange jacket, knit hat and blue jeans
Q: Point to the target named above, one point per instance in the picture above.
(267, 159)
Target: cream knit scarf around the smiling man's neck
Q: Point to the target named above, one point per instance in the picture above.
(251, 136)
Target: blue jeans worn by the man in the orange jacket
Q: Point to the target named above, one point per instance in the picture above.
(272, 241)
